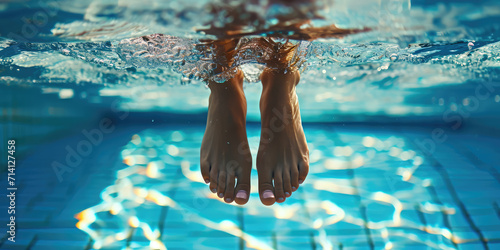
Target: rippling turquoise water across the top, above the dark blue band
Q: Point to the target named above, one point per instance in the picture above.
(416, 55)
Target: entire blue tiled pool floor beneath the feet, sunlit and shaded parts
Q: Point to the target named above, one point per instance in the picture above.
(369, 187)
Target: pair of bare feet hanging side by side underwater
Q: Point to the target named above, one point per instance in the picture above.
(283, 155)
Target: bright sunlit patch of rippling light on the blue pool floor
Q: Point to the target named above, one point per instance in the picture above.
(372, 184)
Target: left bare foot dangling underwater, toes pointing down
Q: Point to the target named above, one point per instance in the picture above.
(224, 154)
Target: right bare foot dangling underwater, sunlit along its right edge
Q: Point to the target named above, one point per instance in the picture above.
(283, 157)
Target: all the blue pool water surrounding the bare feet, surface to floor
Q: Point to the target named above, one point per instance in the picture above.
(401, 121)
